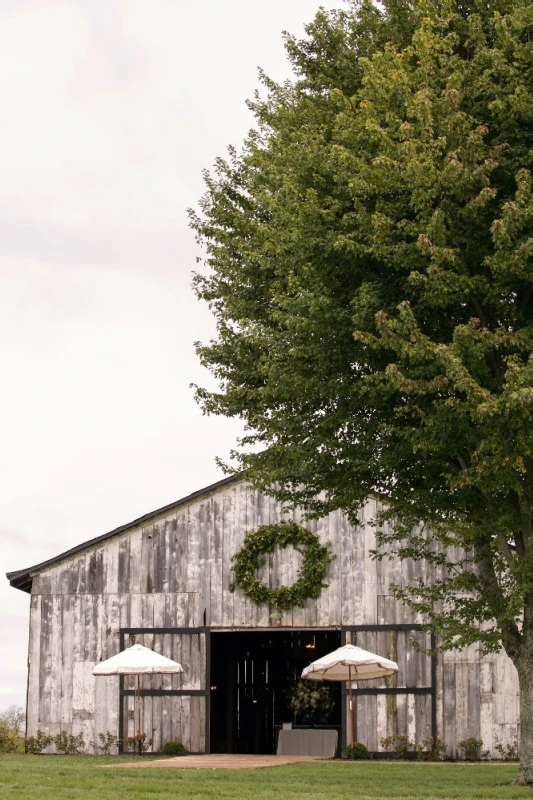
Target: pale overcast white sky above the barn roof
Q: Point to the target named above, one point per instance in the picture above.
(110, 110)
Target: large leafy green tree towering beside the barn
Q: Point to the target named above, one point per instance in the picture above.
(371, 273)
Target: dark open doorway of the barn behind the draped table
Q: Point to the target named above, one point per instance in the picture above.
(252, 673)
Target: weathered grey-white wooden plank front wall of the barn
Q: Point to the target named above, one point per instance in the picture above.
(167, 575)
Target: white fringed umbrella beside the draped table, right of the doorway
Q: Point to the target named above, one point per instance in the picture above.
(350, 663)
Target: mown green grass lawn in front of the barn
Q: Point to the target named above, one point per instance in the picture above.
(75, 777)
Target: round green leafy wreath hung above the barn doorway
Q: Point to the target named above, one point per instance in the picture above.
(252, 555)
